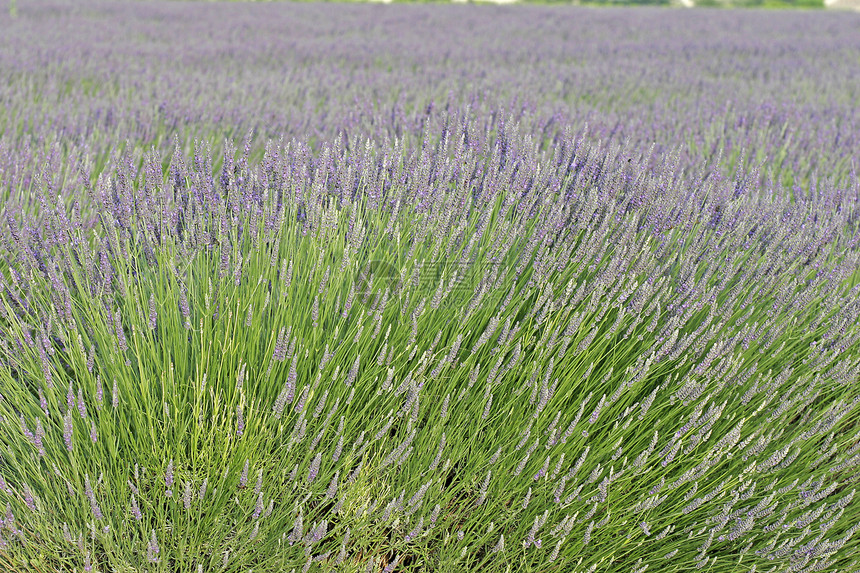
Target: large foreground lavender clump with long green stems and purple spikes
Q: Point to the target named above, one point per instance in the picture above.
(553, 363)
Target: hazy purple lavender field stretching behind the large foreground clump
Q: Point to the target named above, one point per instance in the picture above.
(730, 92)
